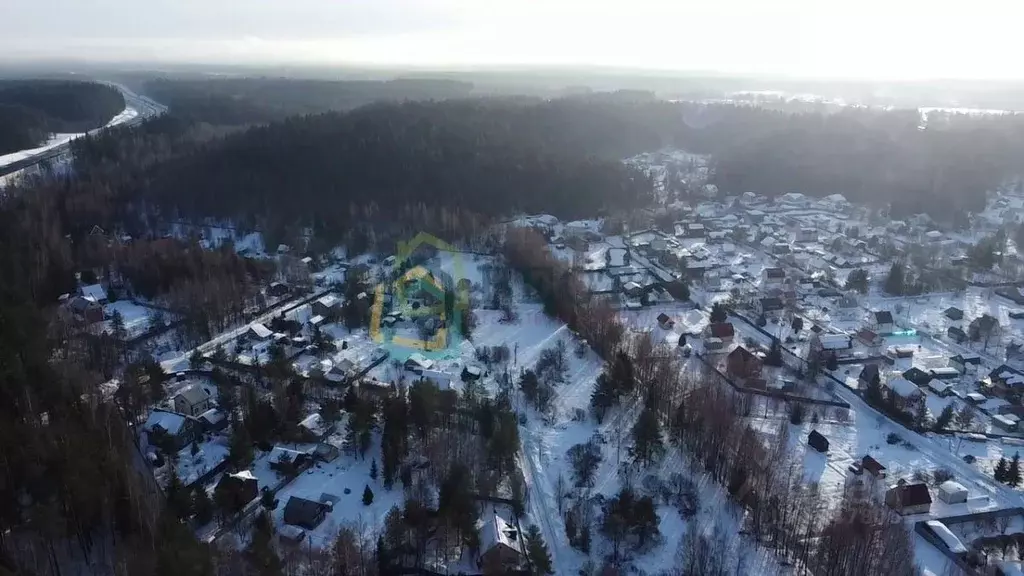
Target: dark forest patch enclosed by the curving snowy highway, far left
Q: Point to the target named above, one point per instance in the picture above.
(32, 110)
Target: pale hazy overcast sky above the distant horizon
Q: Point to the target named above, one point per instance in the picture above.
(885, 39)
